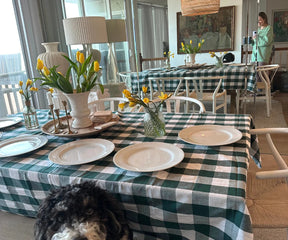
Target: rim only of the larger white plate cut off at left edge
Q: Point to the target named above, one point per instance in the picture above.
(43, 141)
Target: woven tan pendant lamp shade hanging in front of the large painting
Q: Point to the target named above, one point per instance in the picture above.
(198, 7)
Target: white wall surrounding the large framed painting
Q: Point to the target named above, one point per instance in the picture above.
(174, 6)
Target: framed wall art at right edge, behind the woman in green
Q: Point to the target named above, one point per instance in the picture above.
(280, 25)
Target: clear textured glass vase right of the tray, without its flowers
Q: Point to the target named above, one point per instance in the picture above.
(154, 123)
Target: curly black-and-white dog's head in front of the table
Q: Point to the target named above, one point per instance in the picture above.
(81, 212)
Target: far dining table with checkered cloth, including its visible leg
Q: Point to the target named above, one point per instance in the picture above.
(239, 77)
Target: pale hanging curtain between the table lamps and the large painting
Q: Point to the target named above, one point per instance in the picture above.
(153, 30)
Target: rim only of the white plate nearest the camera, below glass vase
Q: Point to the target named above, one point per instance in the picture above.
(179, 156)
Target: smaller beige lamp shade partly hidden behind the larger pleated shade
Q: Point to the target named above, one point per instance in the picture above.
(116, 30)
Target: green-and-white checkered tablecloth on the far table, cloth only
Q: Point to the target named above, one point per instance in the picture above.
(235, 77)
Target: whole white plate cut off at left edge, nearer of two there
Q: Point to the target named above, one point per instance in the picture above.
(20, 145)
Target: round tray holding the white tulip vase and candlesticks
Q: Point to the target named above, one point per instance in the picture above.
(48, 128)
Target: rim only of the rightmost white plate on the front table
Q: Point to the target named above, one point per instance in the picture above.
(232, 130)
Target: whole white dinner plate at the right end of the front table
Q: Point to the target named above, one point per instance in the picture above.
(210, 135)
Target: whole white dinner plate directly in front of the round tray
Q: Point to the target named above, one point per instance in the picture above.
(81, 151)
